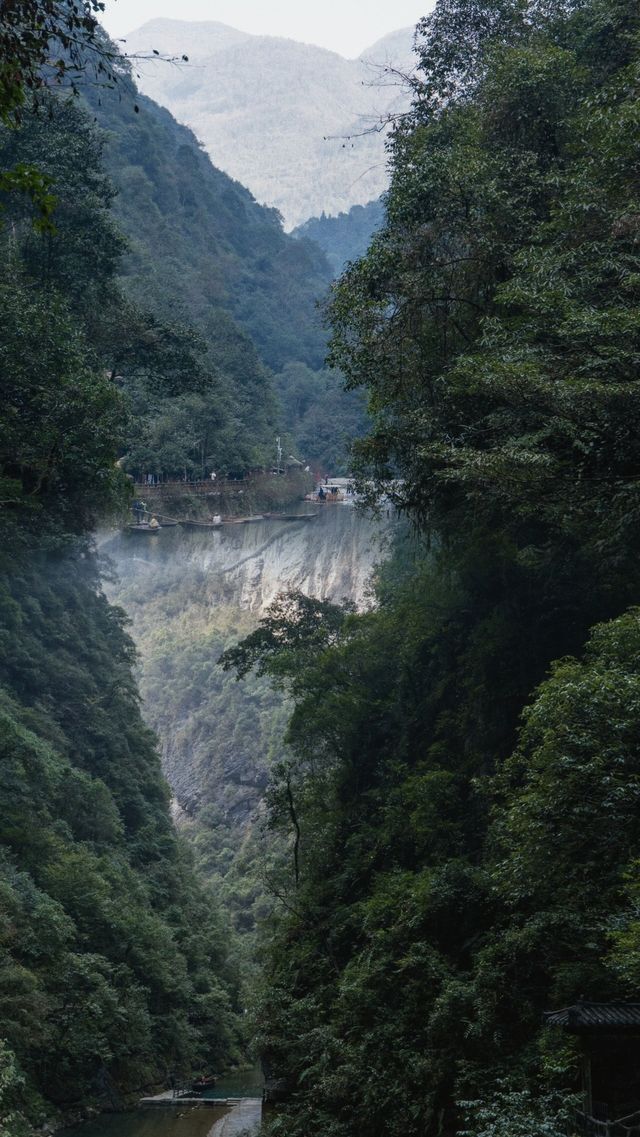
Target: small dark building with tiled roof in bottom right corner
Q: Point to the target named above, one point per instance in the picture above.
(610, 1043)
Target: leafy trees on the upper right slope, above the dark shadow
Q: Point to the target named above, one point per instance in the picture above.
(503, 380)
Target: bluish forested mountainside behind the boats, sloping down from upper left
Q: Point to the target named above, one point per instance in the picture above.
(204, 253)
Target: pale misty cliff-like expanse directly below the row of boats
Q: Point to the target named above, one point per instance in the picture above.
(190, 595)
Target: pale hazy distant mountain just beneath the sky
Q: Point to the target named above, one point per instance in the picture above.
(293, 122)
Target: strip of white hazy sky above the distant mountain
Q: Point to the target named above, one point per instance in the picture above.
(347, 27)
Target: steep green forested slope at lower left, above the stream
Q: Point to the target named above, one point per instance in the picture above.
(115, 968)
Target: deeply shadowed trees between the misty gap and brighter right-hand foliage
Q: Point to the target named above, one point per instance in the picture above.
(386, 900)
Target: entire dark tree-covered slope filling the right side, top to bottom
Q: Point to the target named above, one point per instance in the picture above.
(462, 798)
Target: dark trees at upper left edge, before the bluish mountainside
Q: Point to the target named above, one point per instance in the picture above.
(67, 317)
